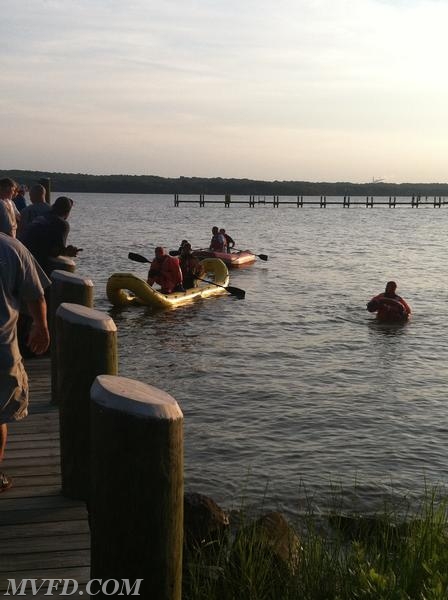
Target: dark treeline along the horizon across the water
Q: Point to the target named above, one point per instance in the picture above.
(152, 184)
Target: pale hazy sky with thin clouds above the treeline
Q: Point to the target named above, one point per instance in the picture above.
(306, 90)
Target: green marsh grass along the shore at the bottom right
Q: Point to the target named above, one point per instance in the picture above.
(392, 555)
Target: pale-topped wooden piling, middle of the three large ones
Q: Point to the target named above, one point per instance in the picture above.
(86, 343)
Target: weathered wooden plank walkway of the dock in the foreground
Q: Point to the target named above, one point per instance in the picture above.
(42, 534)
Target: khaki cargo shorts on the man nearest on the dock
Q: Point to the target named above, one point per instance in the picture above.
(13, 393)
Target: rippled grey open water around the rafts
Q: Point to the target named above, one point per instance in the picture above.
(296, 390)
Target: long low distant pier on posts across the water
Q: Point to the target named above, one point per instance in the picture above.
(317, 201)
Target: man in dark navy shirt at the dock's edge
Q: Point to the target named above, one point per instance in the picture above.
(46, 236)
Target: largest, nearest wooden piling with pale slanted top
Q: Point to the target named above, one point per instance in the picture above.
(136, 505)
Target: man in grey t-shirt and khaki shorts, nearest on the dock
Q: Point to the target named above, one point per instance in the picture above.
(21, 280)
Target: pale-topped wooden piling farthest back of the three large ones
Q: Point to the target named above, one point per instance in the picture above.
(65, 287)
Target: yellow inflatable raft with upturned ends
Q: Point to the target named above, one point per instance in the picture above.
(124, 289)
